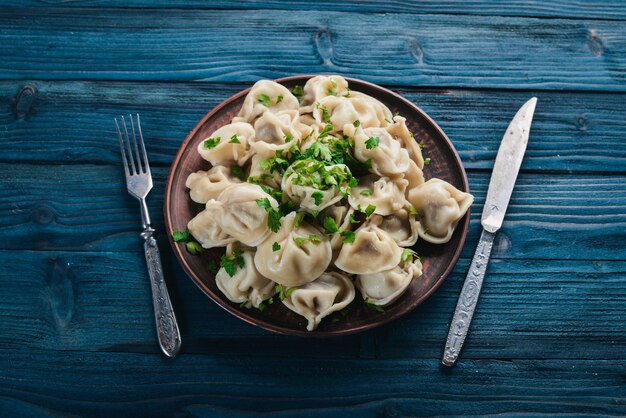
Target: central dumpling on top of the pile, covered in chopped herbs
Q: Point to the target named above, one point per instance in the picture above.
(297, 184)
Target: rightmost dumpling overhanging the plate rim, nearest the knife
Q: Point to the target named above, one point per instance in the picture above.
(440, 205)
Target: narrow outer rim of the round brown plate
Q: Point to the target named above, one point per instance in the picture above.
(463, 225)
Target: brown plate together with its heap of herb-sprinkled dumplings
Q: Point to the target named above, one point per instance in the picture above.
(317, 205)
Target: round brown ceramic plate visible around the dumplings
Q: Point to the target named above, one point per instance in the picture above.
(438, 260)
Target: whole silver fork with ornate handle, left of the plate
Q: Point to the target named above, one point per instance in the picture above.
(139, 183)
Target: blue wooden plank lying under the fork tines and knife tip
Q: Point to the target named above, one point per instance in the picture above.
(571, 131)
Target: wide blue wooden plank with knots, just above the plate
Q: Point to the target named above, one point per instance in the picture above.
(425, 50)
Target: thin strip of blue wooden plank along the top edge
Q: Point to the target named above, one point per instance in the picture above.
(597, 9)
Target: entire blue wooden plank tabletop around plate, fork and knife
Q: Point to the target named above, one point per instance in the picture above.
(76, 325)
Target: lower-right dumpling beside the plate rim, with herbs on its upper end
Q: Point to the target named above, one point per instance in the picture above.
(386, 287)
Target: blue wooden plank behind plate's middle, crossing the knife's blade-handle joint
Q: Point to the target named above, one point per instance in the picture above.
(86, 207)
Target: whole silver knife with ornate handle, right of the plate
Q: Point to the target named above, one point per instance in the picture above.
(505, 169)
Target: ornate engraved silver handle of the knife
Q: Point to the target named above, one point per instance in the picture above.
(468, 299)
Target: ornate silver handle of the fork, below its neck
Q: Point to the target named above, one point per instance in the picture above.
(167, 327)
